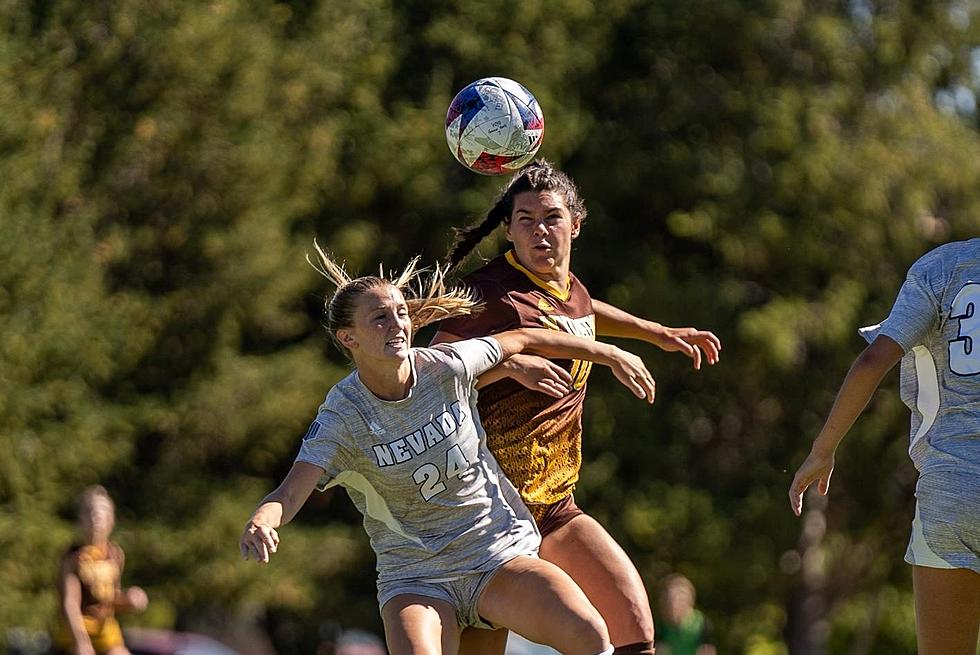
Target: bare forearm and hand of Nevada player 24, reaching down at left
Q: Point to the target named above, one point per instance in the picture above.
(260, 537)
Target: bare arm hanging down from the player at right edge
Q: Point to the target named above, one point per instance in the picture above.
(855, 392)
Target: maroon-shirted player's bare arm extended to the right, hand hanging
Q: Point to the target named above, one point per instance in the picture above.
(697, 344)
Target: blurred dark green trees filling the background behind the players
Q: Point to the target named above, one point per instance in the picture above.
(765, 169)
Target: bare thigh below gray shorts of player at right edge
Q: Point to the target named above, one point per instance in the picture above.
(947, 610)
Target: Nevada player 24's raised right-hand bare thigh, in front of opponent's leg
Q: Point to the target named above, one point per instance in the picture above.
(538, 600)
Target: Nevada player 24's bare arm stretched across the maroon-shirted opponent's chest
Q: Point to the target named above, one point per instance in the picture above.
(627, 367)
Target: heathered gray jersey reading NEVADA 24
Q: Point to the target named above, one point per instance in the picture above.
(434, 500)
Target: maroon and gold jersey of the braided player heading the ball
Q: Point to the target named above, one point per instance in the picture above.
(536, 439)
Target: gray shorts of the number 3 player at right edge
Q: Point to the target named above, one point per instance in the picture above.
(946, 528)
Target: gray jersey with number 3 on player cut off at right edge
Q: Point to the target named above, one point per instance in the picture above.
(936, 321)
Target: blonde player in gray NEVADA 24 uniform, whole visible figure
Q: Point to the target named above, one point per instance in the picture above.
(455, 546)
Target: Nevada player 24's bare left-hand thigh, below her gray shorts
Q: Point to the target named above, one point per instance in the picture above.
(419, 625)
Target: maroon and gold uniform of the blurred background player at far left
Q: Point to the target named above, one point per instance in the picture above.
(99, 571)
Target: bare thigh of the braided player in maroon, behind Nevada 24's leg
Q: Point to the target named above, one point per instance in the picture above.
(606, 574)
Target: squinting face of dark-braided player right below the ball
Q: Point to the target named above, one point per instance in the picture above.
(542, 229)
